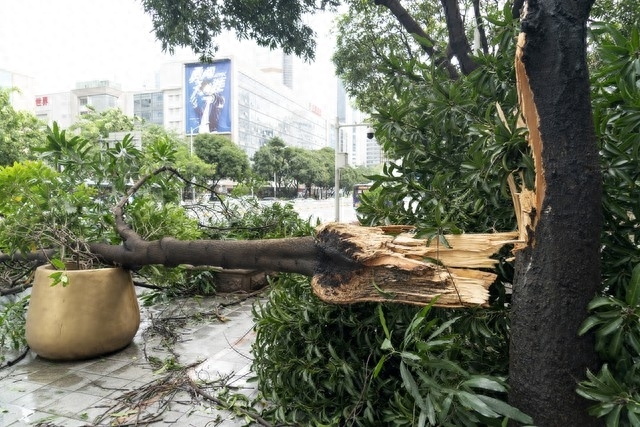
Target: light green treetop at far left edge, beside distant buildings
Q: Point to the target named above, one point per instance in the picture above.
(19, 131)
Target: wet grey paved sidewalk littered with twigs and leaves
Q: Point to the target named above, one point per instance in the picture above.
(143, 383)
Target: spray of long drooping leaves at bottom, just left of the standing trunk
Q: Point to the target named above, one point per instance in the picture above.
(434, 377)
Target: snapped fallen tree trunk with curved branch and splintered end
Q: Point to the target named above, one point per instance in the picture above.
(348, 263)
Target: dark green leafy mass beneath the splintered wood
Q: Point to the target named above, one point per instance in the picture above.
(364, 364)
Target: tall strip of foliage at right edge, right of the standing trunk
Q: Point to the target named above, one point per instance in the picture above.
(616, 104)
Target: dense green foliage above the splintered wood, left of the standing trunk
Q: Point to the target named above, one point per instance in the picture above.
(456, 141)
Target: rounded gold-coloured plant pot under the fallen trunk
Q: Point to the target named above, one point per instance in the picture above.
(96, 313)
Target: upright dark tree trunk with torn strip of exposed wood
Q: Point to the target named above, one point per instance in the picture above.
(558, 272)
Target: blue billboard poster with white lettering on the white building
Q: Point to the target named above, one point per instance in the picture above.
(208, 97)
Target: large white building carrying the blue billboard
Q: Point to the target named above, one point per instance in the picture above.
(250, 106)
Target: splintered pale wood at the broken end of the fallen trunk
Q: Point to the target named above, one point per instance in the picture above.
(401, 268)
